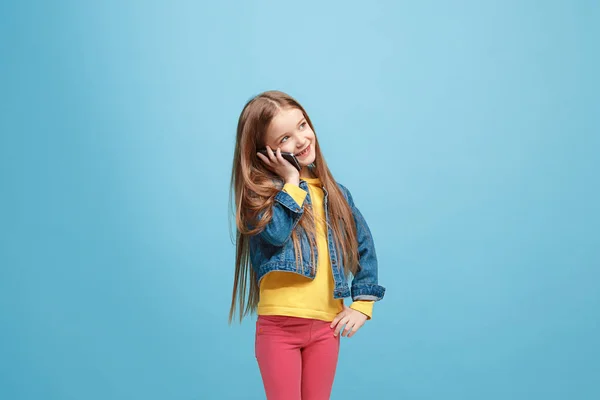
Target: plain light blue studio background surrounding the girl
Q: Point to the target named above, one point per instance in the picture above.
(467, 131)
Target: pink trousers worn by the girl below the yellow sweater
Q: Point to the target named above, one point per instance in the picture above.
(297, 357)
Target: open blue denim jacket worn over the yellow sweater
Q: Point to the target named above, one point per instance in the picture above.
(273, 250)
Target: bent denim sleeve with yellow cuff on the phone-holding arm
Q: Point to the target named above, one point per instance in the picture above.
(287, 210)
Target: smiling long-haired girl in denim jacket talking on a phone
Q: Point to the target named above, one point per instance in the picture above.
(299, 237)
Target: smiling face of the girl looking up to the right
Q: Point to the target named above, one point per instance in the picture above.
(290, 131)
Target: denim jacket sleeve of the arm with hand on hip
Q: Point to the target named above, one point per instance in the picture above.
(365, 285)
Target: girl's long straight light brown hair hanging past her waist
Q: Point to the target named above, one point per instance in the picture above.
(254, 187)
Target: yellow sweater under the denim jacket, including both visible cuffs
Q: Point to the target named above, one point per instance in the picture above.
(292, 294)
